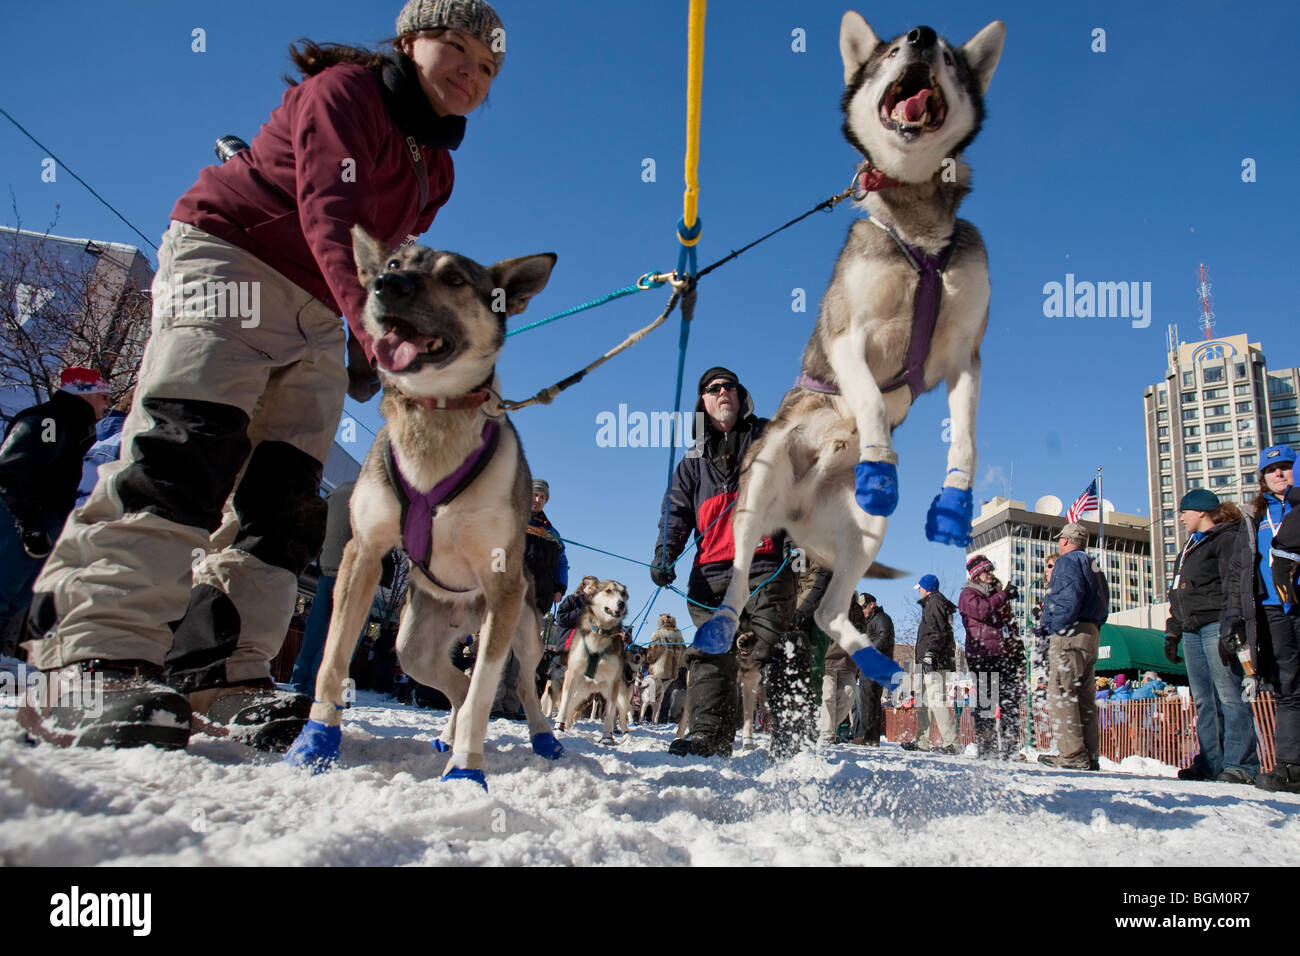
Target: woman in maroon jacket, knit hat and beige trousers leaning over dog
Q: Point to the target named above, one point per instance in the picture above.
(241, 391)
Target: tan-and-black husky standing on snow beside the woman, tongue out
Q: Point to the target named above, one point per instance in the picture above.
(448, 483)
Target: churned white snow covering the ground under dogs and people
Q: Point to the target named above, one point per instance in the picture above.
(632, 804)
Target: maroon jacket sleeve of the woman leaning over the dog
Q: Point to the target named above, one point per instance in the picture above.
(341, 118)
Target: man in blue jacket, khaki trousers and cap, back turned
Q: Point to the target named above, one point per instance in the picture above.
(1074, 611)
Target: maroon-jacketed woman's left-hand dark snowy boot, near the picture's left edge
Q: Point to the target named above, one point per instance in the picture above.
(106, 704)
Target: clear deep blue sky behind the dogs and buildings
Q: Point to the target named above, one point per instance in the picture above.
(1124, 166)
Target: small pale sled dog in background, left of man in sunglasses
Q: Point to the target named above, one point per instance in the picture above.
(596, 660)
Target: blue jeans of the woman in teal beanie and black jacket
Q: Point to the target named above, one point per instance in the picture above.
(1225, 725)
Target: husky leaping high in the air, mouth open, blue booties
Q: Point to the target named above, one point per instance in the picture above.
(905, 310)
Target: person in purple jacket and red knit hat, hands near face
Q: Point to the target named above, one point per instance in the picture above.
(994, 648)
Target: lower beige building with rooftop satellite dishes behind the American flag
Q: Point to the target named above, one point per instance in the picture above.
(1019, 542)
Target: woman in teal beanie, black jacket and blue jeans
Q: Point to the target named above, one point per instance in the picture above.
(1225, 726)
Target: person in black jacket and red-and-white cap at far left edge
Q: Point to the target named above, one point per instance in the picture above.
(41, 465)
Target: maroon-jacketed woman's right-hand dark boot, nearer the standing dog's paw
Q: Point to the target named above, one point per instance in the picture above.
(255, 715)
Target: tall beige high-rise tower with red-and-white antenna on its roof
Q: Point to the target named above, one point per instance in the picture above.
(1207, 423)
